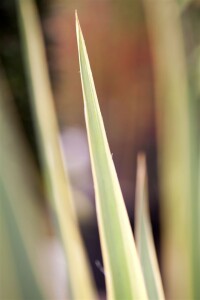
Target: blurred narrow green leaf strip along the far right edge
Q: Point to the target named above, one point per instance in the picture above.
(195, 157)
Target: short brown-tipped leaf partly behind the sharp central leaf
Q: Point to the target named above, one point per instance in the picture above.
(144, 236)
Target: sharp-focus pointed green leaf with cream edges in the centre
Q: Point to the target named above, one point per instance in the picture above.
(123, 274)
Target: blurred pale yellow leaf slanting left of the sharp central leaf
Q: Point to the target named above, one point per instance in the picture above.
(57, 182)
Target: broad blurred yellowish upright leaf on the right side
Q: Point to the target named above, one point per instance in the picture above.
(174, 149)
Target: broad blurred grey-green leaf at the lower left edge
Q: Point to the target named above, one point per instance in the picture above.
(21, 221)
